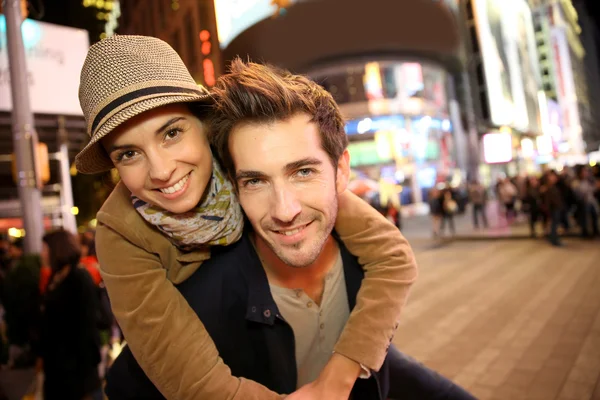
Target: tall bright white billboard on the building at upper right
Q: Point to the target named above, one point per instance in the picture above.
(507, 43)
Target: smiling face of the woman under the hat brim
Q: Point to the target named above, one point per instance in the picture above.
(163, 157)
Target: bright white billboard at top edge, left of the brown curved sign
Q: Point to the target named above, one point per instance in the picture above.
(235, 16)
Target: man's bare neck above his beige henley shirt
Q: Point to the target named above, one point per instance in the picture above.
(310, 278)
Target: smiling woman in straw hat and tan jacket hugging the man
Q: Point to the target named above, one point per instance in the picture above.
(150, 236)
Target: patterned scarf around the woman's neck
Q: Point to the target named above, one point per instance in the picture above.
(218, 220)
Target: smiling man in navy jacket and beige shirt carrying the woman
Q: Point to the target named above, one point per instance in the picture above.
(276, 318)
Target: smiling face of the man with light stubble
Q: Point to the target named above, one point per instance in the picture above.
(288, 186)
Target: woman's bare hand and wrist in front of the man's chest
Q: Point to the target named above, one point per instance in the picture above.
(335, 381)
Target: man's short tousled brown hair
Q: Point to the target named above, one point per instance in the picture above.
(255, 93)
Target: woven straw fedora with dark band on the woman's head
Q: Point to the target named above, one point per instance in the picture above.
(123, 76)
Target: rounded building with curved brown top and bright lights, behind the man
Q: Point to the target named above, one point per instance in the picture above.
(389, 65)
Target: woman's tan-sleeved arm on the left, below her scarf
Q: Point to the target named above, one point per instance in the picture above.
(168, 340)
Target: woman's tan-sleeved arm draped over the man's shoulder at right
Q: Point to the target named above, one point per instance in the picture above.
(390, 270)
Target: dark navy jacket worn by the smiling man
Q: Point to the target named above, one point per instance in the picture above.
(231, 295)
